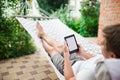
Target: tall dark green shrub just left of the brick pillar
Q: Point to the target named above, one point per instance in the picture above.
(89, 19)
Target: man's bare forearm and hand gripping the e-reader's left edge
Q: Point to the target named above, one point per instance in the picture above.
(68, 72)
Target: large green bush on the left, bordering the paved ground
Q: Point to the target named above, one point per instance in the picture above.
(14, 40)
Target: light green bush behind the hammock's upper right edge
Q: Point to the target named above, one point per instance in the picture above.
(64, 16)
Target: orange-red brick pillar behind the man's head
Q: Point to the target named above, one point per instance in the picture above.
(109, 14)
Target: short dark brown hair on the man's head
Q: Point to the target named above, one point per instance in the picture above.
(112, 36)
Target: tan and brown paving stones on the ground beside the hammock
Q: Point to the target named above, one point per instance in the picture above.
(30, 67)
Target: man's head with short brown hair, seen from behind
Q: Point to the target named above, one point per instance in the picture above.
(111, 41)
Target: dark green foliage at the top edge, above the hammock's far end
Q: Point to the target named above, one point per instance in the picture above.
(51, 5)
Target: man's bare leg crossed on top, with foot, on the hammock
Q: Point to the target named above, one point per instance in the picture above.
(49, 40)
